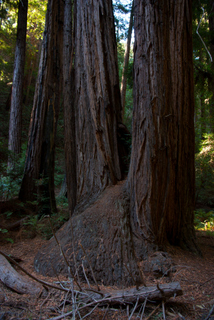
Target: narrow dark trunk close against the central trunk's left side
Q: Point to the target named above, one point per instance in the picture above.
(69, 114)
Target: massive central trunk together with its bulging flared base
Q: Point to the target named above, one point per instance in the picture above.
(102, 230)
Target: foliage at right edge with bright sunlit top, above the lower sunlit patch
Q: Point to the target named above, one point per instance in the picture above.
(204, 163)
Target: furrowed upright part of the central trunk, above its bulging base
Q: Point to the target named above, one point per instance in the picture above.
(97, 104)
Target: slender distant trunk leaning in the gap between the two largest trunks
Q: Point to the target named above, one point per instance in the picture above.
(126, 63)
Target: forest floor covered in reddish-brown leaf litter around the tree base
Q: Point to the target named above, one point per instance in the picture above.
(194, 273)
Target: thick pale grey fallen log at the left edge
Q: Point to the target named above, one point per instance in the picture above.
(15, 281)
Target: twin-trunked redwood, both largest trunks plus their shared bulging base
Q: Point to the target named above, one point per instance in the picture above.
(160, 186)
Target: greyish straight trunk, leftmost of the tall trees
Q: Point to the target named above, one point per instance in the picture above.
(15, 124)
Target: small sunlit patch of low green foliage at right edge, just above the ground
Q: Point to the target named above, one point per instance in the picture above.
(204, 220)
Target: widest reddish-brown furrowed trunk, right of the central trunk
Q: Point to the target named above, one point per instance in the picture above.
(161, 176)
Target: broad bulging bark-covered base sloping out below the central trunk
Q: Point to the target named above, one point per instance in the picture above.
(100, 239)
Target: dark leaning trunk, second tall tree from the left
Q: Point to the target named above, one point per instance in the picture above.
(39, 167)
